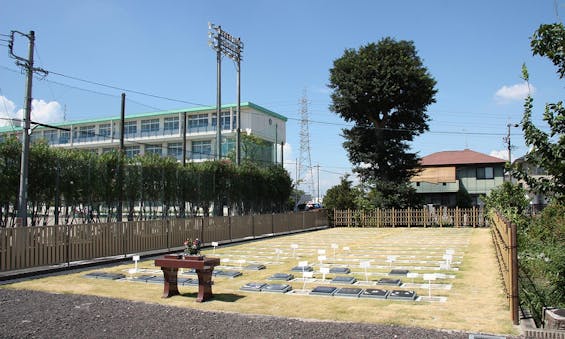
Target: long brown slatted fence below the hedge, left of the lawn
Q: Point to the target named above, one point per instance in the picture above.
(27, 247)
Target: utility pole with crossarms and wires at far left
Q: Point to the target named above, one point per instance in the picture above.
(28, 65)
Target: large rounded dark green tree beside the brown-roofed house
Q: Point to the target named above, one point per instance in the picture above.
(384, 89)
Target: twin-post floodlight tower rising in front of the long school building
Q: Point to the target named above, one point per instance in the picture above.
(224, 43)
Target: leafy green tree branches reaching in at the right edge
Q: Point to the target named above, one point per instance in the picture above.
(547, 148)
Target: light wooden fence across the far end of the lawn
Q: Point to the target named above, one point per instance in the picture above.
(426, 217)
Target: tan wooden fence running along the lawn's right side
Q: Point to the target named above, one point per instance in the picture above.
(505, 244)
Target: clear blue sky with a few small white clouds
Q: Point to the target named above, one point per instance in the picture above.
(474, 50)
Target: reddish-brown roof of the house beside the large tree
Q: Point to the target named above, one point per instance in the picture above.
(463, 157)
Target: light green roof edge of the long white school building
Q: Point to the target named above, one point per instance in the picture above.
(158, 113)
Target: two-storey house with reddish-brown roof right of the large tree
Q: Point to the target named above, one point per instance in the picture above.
(449, 175)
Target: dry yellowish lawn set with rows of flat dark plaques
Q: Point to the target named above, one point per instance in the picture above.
(474, 302)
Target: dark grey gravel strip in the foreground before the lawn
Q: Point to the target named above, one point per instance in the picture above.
(32, 314)
